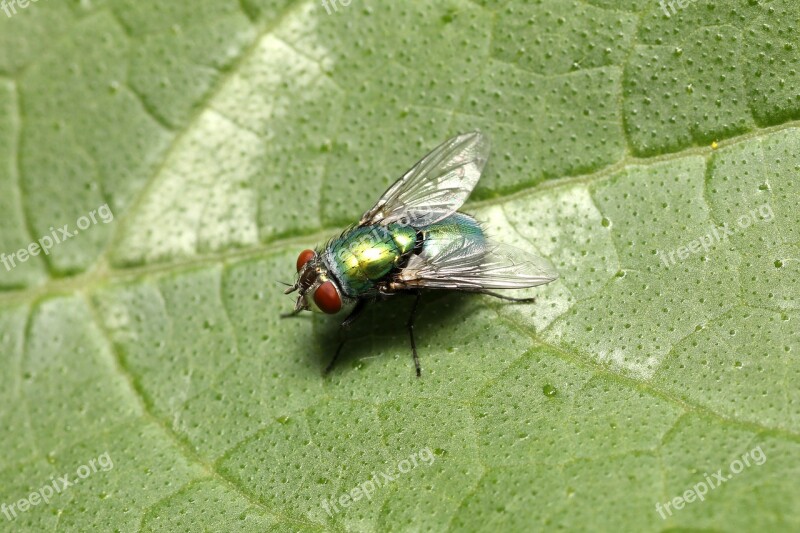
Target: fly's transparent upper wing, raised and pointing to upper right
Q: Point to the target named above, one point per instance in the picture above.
(436, 186)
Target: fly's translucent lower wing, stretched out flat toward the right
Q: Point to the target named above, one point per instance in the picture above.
(470, 265)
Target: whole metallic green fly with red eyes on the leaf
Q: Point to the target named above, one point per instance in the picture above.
(414, 239)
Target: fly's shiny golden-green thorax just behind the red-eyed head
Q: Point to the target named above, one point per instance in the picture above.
(365, 255)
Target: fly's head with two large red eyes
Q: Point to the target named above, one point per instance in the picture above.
(318, 290)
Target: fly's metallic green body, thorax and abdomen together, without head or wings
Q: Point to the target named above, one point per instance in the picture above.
(364, 256)
